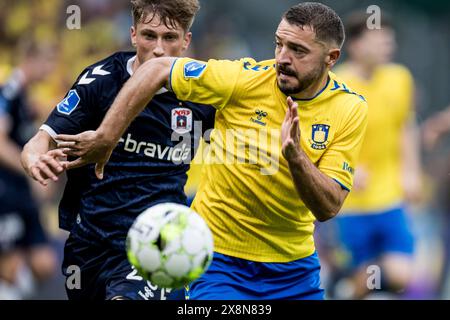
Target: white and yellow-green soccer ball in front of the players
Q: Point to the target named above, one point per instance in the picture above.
(170, 245)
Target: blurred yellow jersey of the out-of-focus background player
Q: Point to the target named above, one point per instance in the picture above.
(389, 95)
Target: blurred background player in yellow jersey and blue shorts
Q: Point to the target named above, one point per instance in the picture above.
(374, 227)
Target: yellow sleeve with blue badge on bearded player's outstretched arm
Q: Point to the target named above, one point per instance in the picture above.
(211, 82)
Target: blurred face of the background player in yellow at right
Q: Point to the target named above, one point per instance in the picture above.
(374, 47)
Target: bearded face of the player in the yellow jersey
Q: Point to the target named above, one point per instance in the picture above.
(301, 60)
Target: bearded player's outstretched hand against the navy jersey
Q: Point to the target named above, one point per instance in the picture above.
(89, 147)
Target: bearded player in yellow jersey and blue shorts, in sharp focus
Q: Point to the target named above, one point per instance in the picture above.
(274, 167)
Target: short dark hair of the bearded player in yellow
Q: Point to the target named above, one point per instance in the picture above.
(324, 21)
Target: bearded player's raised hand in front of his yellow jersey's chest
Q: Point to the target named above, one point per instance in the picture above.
(290, 132)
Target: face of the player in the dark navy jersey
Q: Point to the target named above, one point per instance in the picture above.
(154, 39)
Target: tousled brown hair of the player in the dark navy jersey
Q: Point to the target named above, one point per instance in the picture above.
(171, 12)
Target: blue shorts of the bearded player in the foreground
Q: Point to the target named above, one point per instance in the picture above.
(230, 278)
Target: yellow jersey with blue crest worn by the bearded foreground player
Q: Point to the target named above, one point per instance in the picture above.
(246, 193)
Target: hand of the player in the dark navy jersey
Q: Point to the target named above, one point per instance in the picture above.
(47, 166)
